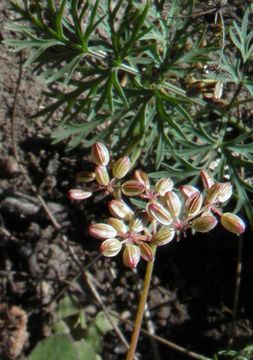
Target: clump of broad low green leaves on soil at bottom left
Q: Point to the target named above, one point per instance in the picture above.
(74, 338)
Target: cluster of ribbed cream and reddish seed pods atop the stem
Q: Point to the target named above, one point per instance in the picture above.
(167, 212)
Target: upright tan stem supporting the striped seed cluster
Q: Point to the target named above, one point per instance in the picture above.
(141, 308)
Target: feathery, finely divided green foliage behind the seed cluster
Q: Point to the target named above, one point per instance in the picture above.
(135, 75)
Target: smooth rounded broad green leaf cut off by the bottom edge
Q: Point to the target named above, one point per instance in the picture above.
(54, 348)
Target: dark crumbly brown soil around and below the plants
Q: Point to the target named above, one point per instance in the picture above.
(191, 297)
